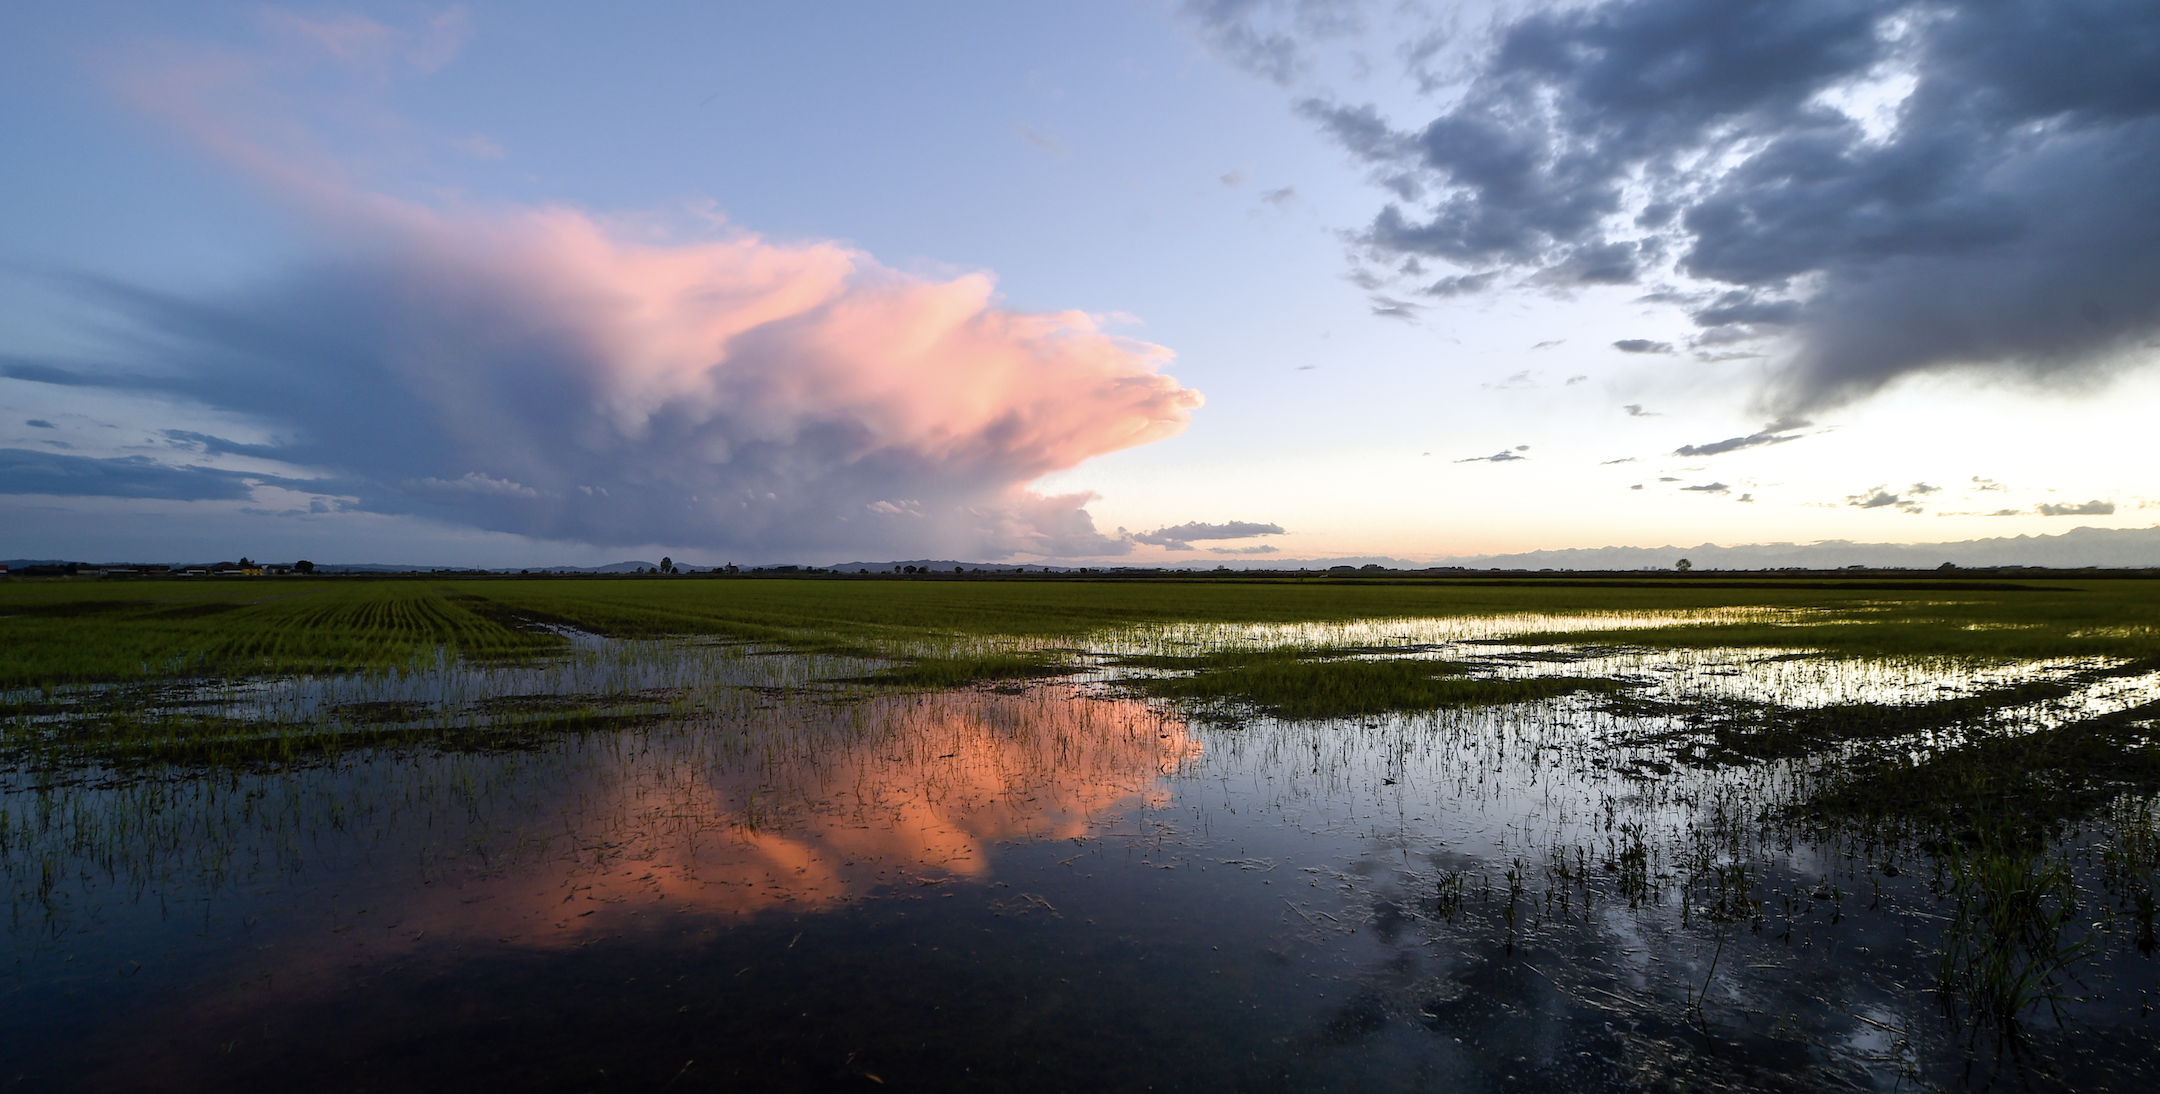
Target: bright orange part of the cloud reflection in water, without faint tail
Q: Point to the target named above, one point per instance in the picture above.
(895, 795)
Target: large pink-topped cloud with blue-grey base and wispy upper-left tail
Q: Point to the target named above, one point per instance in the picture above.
(632, 388)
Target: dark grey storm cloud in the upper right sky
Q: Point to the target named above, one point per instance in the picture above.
(1999, 215)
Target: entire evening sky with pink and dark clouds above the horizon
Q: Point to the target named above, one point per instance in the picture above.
(1118, 282)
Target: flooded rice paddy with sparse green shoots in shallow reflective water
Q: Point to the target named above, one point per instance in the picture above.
(694, 866)
